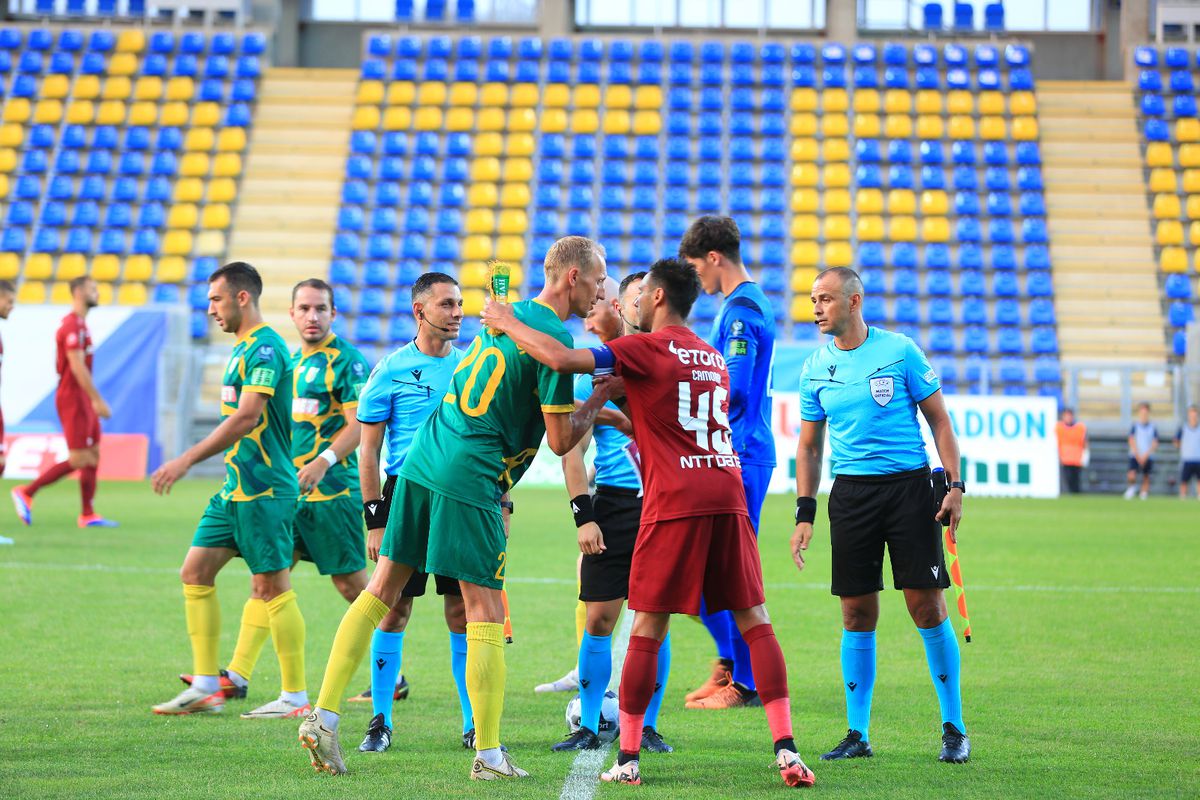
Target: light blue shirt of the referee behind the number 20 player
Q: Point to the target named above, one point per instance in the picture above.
(403, 392)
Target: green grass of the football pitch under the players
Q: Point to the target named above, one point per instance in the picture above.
(1081, 682)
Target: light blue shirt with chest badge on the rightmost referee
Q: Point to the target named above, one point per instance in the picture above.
(868, 399)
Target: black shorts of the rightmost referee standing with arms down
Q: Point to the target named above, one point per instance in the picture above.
(869, 512)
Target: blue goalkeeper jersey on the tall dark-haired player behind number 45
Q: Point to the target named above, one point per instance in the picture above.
(745, 333)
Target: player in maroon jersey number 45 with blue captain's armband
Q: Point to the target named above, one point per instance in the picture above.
(695, 538)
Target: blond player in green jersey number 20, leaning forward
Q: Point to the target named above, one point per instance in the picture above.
(446, 515)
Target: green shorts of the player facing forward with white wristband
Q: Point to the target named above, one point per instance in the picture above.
(331, 534)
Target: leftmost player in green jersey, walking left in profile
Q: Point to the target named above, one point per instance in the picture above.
(251, 516)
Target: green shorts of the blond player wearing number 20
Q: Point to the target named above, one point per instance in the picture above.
(441, 536)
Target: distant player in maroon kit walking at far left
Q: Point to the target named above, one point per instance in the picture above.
(80, 407)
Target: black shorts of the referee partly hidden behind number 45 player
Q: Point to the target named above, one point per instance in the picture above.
(607, 576)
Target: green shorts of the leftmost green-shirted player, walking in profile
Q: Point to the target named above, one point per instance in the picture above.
(261, 531)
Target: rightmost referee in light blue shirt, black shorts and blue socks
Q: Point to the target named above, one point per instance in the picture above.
(866, 387)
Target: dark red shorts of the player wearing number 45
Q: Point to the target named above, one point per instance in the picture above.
(677, 562)
